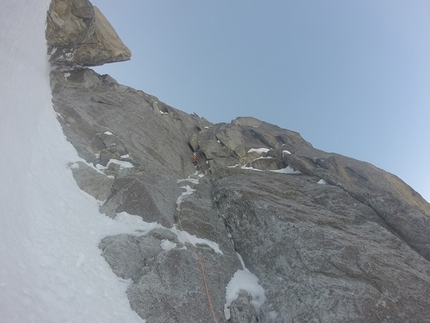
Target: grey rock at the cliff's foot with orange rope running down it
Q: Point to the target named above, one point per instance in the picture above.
(165, 267)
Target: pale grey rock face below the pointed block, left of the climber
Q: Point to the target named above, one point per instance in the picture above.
(108, 125)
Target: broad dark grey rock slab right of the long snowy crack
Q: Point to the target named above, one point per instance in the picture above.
(322, 255)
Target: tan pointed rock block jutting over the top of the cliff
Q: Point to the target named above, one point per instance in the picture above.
(79, 35)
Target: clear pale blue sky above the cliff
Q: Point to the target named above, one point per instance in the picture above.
(352, 77)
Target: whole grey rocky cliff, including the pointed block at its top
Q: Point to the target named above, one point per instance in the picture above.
(330, 238)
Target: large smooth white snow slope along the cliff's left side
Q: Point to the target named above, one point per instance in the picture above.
(51, 268)
